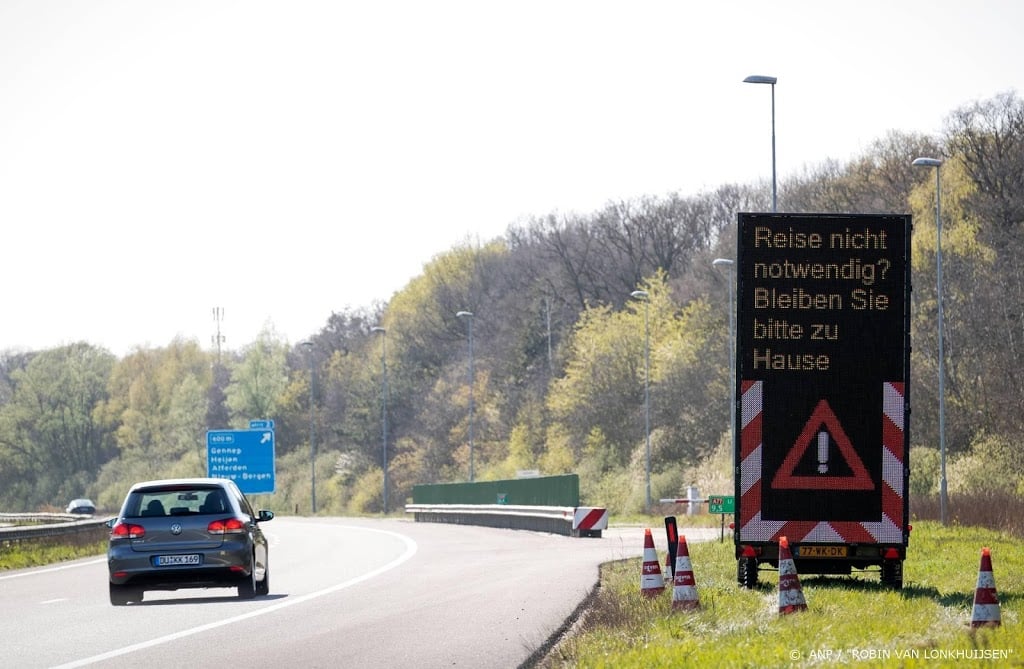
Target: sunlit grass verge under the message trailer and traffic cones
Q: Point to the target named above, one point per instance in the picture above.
(851, 621)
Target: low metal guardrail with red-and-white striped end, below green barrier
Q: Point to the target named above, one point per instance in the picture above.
(569, 521)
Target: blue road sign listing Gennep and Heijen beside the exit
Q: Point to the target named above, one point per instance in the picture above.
(245, 456)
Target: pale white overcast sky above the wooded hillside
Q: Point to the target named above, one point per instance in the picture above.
(284, 161)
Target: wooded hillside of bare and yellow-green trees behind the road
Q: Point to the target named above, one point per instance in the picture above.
(558, 353)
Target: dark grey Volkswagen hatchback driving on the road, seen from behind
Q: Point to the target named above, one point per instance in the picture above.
(187, 533)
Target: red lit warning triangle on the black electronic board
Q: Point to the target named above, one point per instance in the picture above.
(823, 417)
